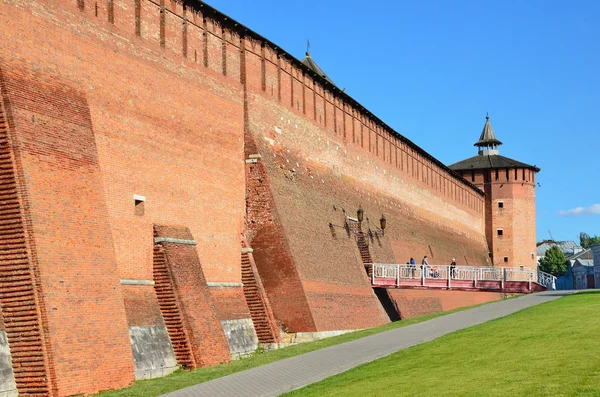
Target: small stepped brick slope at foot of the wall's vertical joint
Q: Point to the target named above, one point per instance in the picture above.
(260, 310)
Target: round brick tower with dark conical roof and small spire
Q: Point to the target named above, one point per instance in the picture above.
(509, 187)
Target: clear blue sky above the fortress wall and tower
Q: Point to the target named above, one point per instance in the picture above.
(431, 70)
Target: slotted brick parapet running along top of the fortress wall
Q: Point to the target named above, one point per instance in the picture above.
(197, 35)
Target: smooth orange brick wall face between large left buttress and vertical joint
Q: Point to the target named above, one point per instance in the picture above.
(183, 152)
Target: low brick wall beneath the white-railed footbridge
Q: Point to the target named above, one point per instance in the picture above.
(414, 302)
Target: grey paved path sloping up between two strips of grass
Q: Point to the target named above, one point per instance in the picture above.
(295, 372)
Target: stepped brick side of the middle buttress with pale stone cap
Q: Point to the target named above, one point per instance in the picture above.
(169, 309)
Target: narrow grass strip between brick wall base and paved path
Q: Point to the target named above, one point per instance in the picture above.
(181, 379)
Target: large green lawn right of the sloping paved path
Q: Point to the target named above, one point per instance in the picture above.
(548, 350)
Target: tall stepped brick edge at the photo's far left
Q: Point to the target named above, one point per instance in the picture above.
(22, 319)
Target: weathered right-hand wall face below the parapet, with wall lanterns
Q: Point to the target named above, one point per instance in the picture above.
(312, 181)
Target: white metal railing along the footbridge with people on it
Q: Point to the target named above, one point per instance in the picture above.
(383, 274)
